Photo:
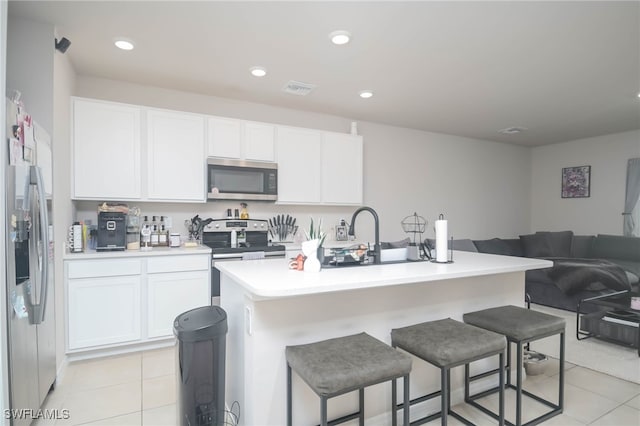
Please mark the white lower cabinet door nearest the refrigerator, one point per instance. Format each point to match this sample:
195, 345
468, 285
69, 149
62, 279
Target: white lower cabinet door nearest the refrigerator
103, 311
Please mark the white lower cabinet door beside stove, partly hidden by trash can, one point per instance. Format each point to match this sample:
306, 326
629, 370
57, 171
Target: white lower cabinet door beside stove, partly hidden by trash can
171, 294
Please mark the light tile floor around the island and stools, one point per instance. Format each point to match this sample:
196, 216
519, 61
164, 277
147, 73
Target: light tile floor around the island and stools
140, 390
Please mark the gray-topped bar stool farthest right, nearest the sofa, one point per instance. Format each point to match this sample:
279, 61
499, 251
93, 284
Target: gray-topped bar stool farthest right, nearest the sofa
519, 326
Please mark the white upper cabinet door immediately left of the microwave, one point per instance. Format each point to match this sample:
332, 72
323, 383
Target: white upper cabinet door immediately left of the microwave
176, 156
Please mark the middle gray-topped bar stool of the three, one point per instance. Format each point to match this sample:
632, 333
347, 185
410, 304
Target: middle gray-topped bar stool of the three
446, 344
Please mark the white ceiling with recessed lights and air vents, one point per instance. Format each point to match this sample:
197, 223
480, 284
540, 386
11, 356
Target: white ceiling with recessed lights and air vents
562, 70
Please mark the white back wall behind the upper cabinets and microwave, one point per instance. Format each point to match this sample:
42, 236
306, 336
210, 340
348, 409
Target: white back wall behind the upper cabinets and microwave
482, 187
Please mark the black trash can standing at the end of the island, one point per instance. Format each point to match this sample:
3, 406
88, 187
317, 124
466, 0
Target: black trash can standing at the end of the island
200, 358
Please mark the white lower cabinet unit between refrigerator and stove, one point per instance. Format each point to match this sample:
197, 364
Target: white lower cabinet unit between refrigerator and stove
123, 301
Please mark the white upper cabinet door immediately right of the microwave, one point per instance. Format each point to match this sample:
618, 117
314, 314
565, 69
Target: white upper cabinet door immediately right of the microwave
298, 153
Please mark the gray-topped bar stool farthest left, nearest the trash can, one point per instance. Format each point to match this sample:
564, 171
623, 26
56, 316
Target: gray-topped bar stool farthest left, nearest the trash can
337, 366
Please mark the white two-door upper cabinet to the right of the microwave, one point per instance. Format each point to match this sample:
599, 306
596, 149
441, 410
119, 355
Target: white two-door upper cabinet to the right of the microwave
317, 167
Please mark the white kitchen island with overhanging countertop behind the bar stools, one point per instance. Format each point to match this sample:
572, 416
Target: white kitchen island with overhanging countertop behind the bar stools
270, 307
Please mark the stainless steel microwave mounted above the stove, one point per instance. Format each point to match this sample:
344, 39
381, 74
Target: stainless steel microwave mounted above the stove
241, 180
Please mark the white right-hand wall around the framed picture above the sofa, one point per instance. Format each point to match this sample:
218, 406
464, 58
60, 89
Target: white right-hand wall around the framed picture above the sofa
601, 212
